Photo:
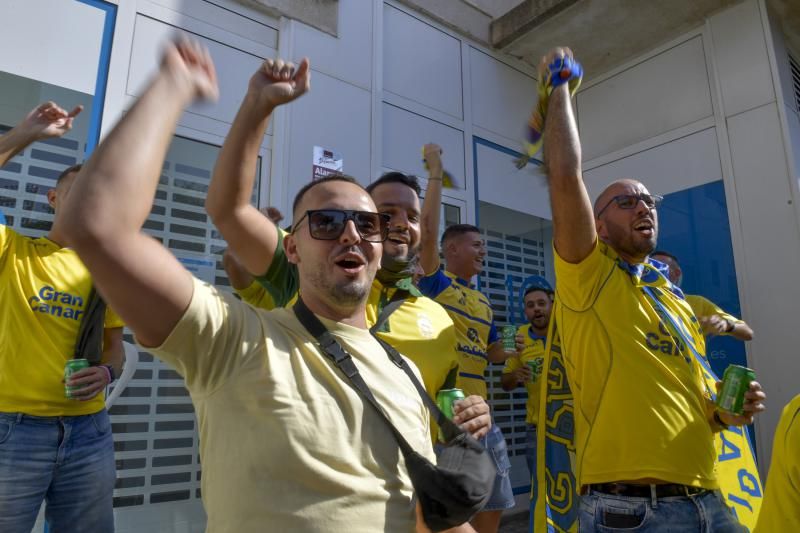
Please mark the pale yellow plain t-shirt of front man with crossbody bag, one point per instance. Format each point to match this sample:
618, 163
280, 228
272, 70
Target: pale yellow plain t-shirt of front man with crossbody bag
287, 444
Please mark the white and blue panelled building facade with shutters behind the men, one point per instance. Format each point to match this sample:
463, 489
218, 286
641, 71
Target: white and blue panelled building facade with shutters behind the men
710, 120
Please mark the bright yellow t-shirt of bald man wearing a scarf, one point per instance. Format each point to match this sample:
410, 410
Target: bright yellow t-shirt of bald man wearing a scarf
640, 400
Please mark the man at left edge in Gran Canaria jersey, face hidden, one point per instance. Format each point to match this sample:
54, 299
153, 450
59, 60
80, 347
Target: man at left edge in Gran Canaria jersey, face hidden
53, 449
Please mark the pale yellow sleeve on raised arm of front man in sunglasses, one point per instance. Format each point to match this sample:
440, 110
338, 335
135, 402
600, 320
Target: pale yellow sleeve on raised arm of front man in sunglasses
216, 336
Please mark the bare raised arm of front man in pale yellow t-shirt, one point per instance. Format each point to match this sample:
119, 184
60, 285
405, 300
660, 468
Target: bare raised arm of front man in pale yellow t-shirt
113, 194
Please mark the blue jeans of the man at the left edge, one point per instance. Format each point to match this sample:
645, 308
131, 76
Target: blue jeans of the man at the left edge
67, 462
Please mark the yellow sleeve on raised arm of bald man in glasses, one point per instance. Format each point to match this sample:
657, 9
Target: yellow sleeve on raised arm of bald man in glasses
578, 284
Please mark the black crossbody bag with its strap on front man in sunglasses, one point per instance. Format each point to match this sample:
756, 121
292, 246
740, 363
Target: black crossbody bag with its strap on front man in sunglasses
450, 492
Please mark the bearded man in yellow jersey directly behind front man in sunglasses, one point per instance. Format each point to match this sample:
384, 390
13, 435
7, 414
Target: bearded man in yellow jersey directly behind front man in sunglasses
419, 328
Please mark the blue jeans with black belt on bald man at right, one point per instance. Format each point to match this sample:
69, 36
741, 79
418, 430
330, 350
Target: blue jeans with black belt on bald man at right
704, 512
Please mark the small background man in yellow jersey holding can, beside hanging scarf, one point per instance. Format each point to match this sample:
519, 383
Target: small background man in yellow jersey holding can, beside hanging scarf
526, 367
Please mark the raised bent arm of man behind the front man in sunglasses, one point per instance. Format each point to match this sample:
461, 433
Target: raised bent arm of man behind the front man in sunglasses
250, 236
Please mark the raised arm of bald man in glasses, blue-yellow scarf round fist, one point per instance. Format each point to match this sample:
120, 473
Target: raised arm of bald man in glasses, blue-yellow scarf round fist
574, 232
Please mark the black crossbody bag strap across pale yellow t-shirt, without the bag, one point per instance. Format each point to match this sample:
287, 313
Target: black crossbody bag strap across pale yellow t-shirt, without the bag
344, 362
